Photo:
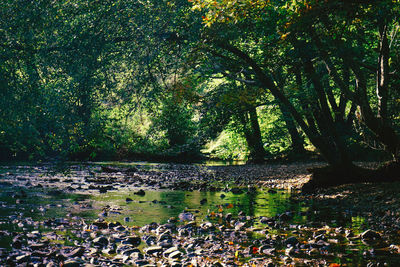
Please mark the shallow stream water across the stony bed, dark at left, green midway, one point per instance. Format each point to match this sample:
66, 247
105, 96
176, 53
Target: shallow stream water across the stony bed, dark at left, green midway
32, 195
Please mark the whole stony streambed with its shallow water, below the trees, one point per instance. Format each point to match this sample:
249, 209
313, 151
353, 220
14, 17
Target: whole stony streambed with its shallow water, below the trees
87, 215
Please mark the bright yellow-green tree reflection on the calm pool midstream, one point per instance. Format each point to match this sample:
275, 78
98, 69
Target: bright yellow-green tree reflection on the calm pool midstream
159, 206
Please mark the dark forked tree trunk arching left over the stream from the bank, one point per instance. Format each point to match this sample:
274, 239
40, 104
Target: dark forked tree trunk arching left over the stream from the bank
321, 132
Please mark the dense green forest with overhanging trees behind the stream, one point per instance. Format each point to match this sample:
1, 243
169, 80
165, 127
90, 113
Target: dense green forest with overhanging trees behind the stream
244, 79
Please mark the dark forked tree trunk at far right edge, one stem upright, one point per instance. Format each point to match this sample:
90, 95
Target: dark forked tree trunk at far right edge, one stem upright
377, 123
